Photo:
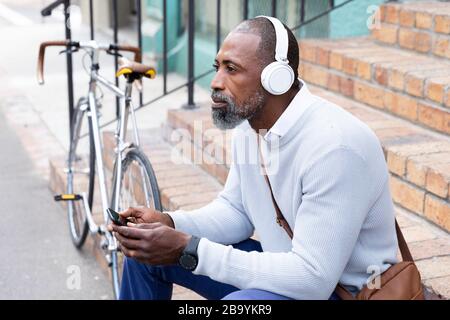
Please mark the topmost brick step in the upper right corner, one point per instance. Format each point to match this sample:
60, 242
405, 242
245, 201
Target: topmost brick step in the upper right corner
422, 26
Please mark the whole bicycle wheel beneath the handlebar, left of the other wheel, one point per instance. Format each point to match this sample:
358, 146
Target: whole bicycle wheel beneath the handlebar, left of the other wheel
80, 175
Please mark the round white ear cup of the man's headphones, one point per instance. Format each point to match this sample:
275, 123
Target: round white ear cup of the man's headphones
277, 78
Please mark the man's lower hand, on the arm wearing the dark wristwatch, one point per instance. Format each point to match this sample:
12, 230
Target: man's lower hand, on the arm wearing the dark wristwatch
151, 243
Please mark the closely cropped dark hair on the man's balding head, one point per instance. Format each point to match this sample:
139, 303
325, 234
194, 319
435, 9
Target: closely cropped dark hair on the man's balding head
266, 49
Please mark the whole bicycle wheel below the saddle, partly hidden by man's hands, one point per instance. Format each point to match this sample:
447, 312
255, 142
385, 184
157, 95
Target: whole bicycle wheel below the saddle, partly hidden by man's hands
138, 187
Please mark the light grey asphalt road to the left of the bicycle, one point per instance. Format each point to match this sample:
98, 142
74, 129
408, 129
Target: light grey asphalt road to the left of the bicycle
38, 260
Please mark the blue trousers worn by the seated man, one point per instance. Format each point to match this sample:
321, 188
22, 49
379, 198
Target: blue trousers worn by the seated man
145, 282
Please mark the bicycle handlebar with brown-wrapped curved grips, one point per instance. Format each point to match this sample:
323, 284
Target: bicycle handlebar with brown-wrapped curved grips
88, 45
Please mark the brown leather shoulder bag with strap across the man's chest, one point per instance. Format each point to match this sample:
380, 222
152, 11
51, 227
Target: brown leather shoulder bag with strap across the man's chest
400, 282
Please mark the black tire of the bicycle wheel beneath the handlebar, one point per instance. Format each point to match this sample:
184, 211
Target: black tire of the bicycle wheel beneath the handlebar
75, 210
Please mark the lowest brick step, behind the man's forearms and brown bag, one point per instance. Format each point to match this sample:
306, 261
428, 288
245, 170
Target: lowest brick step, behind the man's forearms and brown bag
181, 182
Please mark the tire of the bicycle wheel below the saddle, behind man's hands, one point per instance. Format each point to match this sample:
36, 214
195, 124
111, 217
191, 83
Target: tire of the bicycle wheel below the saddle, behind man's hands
133, 154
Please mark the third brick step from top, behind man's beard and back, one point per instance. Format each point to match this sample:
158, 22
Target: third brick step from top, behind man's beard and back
418, 160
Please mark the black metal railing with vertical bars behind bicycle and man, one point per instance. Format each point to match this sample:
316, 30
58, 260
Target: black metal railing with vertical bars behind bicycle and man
191, 78
